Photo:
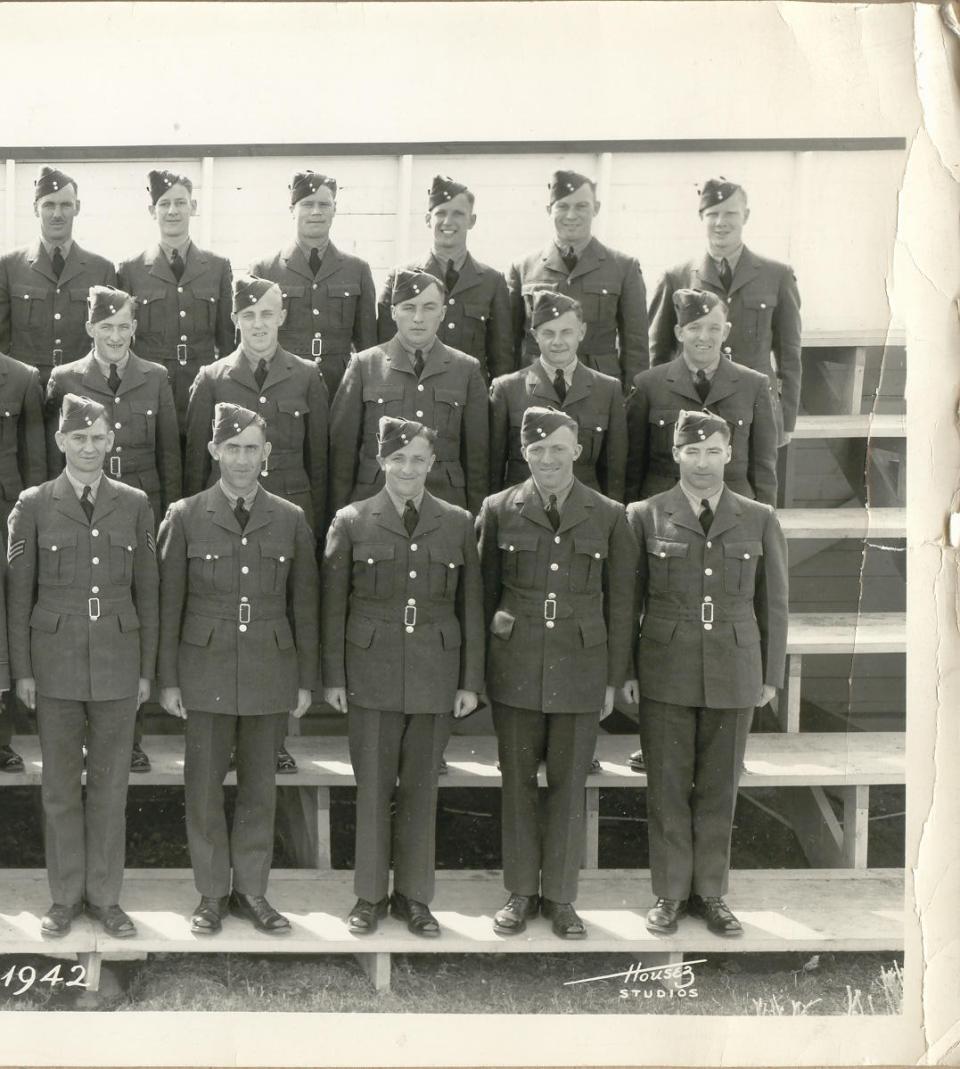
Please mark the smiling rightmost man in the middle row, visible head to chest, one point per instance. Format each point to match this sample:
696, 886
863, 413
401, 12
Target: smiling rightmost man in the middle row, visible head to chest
702, 377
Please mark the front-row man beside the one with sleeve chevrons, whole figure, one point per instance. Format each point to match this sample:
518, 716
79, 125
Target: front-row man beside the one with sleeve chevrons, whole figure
239, 646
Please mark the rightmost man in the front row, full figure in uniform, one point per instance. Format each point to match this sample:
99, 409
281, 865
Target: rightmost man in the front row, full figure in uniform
713, 590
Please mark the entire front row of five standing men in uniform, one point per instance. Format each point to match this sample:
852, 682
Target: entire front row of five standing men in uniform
229, 626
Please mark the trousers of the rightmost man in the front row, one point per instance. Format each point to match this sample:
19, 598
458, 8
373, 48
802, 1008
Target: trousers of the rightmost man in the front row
693, 758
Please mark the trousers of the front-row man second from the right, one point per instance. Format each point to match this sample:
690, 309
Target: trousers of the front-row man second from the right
544, 842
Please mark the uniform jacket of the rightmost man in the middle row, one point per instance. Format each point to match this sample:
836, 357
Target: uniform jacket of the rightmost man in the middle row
737, 395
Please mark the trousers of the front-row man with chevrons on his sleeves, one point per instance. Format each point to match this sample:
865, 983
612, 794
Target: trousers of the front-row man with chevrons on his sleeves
85, 846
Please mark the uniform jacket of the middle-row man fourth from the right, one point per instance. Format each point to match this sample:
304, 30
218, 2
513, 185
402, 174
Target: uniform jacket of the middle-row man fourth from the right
293, 401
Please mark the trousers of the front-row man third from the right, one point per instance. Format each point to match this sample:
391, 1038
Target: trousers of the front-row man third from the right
399, 753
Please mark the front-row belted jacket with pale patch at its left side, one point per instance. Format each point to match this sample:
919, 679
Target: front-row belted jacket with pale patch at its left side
559, 606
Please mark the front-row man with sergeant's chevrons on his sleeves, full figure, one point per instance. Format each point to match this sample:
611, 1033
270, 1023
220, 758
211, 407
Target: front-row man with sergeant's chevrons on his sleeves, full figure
84, 626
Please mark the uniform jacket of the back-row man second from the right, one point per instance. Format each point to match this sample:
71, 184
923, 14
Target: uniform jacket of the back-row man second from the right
610, 287
